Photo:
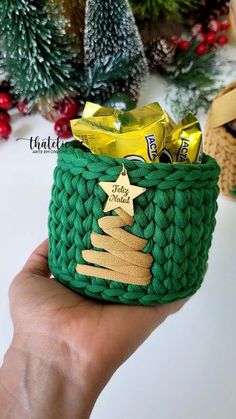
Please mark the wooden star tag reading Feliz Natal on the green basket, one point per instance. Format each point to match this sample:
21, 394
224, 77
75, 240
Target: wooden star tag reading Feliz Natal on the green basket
121, 193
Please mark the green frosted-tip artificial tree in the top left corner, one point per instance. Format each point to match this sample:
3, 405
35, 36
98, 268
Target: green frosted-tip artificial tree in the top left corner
37, 53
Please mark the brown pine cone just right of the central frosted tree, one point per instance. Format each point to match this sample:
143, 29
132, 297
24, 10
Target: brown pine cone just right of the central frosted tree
160, 52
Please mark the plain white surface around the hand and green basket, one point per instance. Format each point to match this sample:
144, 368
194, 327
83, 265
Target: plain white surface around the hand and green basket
187, 368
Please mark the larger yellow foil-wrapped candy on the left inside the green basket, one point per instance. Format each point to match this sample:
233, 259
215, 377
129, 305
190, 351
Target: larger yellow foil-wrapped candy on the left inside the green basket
138, 134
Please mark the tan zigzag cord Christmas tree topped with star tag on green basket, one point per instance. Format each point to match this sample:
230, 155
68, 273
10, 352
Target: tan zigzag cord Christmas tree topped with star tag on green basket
122, 260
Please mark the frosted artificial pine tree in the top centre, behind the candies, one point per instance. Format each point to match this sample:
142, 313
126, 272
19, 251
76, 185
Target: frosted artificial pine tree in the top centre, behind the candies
112, 44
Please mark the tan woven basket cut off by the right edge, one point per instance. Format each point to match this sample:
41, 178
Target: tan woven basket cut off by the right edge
221, 145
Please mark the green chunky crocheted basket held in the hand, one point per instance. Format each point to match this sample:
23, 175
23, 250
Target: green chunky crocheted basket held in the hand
176, 215
